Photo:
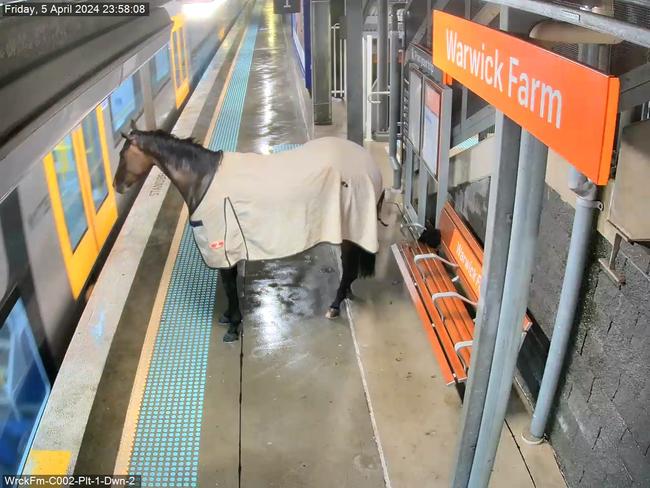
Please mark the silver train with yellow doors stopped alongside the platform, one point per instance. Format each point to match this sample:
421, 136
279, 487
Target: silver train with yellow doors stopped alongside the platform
68, 88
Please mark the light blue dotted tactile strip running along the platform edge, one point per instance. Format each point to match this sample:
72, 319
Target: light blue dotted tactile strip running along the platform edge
167, 438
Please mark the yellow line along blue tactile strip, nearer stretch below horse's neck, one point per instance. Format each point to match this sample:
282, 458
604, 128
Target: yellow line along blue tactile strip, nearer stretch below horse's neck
137, 393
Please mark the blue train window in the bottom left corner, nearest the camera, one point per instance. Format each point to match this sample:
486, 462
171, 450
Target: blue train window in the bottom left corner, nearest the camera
24, 387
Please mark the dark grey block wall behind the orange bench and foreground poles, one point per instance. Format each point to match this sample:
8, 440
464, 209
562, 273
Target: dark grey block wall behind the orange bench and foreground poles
600, 428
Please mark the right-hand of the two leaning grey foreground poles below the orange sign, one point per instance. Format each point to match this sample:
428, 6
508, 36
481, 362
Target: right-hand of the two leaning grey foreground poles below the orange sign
521, 253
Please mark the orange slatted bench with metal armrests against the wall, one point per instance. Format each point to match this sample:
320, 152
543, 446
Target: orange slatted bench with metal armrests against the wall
444, 285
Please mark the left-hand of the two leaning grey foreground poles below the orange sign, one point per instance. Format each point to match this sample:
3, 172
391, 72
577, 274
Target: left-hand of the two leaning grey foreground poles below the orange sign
497, 241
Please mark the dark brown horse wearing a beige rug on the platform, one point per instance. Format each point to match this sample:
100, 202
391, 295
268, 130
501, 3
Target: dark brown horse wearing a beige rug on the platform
251, 207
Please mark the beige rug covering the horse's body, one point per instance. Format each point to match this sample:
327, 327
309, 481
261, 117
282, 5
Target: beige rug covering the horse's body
272, 206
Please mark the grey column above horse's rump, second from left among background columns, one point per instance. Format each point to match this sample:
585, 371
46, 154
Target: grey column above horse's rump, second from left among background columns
353, 75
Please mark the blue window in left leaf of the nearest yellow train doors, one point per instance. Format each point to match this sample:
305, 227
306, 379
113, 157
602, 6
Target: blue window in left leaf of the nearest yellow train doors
67, 176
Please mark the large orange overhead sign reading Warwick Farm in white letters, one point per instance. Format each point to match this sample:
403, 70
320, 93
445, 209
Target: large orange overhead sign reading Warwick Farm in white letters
569, 107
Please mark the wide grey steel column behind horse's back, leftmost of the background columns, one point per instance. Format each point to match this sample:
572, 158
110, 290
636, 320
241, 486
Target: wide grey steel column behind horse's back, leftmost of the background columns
321, 61
